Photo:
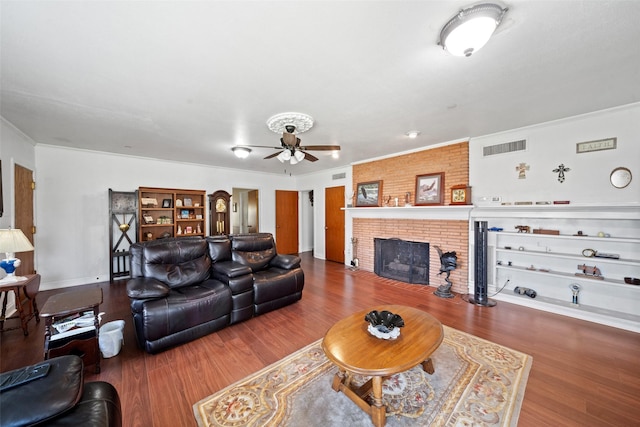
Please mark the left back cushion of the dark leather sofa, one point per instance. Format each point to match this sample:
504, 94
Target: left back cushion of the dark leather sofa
177, 263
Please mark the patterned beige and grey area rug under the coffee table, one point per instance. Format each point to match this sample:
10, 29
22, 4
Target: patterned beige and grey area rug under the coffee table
476, 382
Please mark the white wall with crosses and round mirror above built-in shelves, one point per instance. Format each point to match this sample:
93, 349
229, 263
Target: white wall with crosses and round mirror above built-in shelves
553, 143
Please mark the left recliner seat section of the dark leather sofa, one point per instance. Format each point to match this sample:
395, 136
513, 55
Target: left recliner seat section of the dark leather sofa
173, 298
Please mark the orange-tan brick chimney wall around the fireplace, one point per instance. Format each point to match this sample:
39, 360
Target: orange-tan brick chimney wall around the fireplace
398, 176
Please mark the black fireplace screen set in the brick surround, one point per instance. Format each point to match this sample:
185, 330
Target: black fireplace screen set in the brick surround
402, 260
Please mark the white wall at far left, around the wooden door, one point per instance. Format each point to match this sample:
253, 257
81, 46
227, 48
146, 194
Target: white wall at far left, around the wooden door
15, 148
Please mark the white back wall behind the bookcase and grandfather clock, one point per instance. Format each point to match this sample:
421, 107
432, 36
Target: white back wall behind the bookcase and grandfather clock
73, 210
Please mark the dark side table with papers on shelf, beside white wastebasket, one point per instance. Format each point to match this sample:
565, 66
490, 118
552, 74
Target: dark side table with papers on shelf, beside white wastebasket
85, 343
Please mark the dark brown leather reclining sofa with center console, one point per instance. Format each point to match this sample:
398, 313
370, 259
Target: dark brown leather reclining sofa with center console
185, 288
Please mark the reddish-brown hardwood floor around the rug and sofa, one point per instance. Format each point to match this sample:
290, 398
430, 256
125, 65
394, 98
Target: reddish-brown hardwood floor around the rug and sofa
583, 374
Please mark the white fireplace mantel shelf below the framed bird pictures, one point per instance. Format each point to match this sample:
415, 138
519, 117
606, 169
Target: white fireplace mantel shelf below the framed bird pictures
413, 212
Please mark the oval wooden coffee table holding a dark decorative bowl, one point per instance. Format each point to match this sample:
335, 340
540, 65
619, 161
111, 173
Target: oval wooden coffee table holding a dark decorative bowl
354, 350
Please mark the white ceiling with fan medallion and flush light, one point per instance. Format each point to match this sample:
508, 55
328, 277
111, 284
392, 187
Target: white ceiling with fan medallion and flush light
188, 80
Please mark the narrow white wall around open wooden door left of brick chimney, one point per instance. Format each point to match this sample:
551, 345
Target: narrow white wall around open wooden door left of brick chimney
318, 182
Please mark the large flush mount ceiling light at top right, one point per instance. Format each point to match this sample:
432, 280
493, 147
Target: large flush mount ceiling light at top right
471, 29
